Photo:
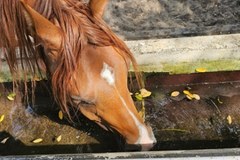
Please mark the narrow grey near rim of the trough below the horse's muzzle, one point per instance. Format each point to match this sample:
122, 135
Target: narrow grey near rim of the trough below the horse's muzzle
231, 153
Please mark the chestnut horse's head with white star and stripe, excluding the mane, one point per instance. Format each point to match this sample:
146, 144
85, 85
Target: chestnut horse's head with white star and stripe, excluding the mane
93, 79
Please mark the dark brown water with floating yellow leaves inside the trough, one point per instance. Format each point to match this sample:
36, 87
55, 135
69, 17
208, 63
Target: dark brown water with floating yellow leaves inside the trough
178, 123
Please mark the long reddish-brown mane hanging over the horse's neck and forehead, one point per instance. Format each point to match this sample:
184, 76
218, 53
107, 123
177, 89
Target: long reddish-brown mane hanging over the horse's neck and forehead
75, 19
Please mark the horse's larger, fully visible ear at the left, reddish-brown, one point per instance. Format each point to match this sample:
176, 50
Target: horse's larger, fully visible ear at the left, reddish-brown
48, 34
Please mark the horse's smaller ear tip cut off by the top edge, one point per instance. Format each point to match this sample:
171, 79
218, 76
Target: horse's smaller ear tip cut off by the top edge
97, 7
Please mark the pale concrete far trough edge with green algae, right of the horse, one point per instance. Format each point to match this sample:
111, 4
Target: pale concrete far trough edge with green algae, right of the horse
184, 55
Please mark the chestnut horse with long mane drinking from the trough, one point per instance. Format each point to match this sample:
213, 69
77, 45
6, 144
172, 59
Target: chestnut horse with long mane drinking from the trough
85, 61
